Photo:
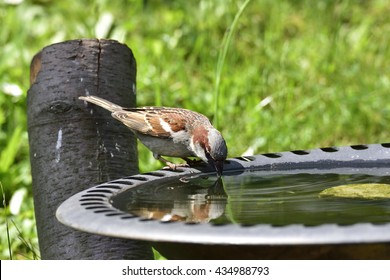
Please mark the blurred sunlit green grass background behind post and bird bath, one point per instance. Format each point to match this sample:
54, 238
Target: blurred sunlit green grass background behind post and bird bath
298, 75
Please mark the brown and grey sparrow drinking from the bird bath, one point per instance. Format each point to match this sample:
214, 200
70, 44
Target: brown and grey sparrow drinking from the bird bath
172, 132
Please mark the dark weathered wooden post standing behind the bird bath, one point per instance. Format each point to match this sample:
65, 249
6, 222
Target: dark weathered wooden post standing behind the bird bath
73, 147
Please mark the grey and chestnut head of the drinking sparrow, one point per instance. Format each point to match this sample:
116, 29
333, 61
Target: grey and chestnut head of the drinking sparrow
208, 144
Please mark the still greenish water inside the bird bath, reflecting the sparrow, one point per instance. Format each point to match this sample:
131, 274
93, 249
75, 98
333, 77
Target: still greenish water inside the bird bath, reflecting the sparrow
256, 198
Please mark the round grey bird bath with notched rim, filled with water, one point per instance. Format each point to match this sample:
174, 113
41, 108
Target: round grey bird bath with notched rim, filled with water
267, 206
